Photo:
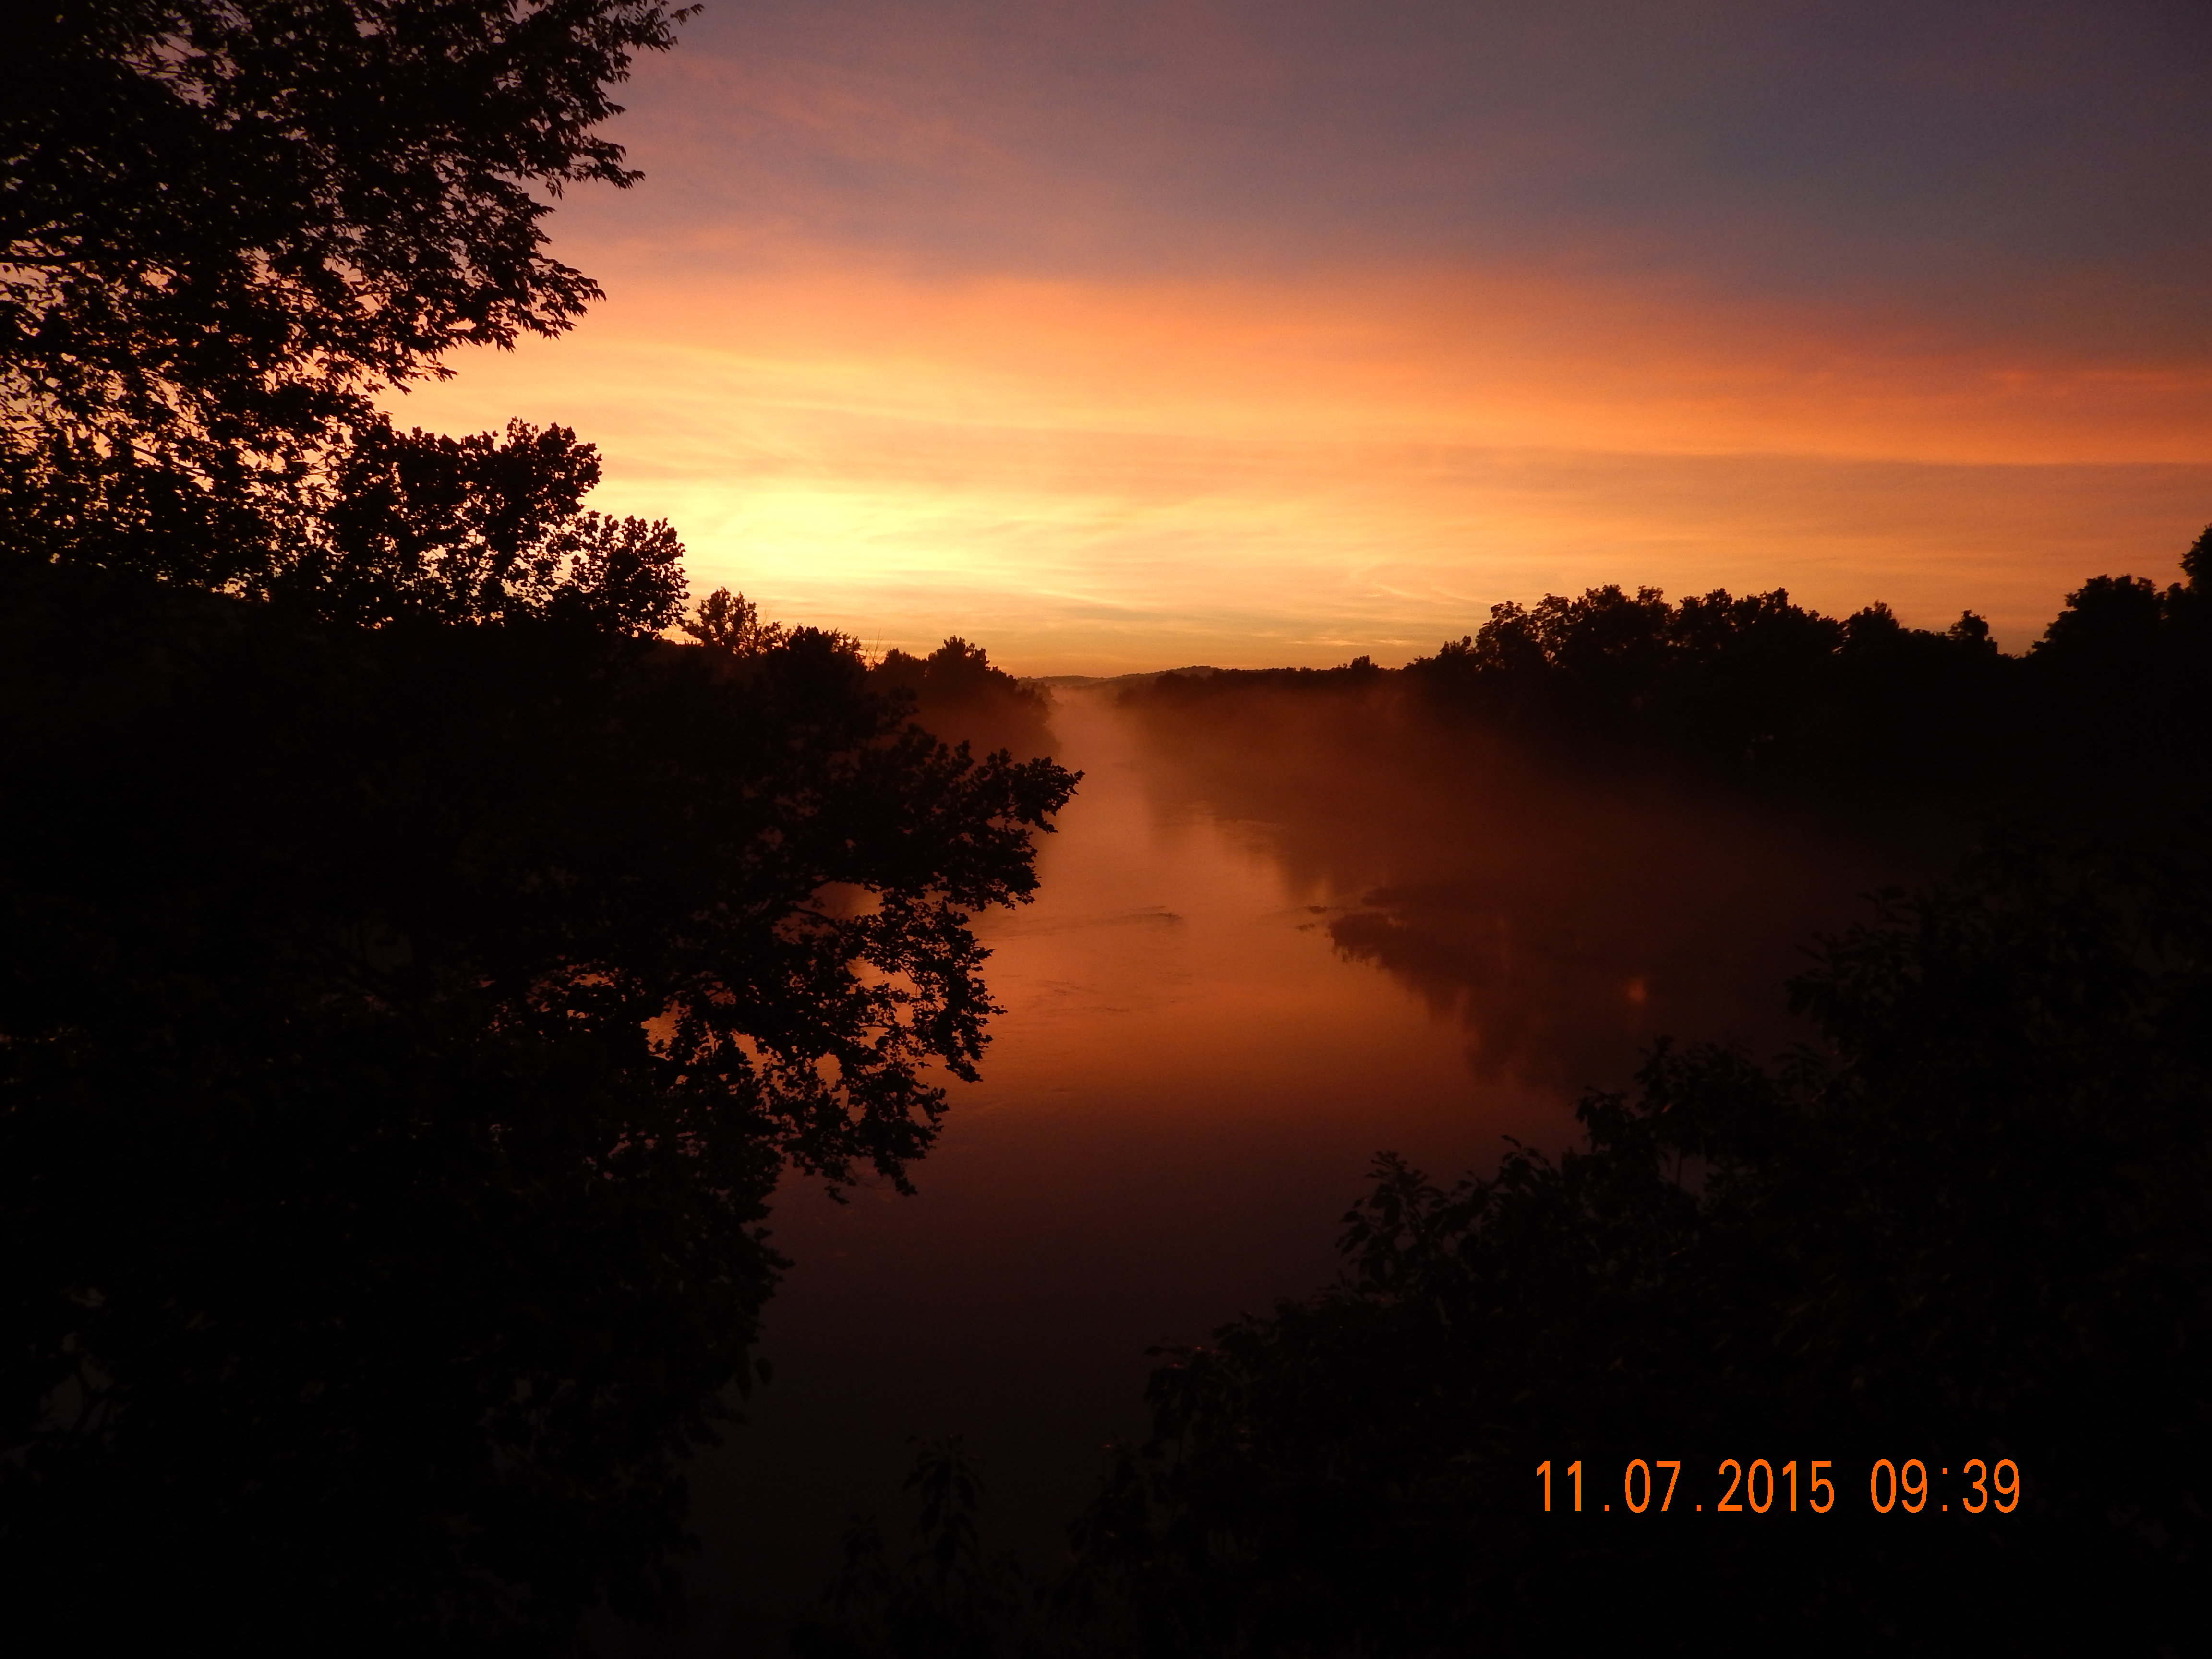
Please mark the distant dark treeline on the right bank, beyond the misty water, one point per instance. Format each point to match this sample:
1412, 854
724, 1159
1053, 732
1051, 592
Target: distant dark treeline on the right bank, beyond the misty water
1760, 691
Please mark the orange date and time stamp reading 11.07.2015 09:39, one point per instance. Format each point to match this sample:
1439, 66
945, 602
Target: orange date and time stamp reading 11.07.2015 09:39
1764, 1488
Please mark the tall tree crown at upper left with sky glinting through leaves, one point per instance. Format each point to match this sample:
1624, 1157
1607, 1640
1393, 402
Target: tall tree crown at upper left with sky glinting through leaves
225, 227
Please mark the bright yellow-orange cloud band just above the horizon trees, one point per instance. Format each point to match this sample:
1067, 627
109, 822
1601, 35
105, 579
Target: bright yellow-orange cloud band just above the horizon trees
1127, 474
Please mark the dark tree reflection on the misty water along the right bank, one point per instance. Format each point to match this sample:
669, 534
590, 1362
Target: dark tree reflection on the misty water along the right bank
1563, 921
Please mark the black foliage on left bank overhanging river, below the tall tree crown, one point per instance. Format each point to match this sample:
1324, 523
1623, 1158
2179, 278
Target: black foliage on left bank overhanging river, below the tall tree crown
404, 1030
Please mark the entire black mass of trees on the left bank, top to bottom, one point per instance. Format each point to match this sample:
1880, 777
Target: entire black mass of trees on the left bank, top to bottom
417, 966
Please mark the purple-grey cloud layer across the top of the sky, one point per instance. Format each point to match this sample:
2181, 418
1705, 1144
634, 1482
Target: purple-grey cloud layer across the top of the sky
1948, 156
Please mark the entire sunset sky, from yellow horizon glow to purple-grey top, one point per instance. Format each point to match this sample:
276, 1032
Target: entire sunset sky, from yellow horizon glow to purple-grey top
1123, 335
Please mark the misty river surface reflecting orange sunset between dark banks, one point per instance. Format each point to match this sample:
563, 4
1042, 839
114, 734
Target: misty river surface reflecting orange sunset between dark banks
1262, 952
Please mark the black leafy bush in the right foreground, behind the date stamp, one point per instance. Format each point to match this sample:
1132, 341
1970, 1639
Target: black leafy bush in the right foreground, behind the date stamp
1972, 1224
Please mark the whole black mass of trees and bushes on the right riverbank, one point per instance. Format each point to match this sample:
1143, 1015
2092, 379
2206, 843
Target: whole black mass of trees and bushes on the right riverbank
1970, 1222
